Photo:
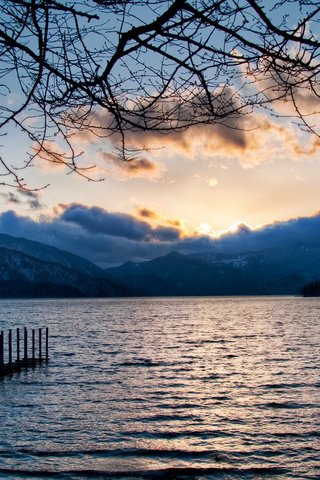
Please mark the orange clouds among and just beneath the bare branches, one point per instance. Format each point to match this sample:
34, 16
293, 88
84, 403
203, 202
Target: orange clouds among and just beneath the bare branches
250, 139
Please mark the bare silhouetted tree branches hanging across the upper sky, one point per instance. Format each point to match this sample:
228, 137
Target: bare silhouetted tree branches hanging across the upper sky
124, 66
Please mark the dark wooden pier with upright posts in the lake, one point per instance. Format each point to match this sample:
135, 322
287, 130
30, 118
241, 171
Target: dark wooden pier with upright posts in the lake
20, 352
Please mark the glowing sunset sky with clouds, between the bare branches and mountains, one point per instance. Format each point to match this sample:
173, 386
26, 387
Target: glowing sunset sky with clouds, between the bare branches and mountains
210, 187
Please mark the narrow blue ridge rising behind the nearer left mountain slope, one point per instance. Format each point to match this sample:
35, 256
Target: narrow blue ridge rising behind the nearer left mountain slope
50, 254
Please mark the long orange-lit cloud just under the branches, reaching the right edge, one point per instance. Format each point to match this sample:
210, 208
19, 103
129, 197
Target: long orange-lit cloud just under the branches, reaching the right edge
250, 141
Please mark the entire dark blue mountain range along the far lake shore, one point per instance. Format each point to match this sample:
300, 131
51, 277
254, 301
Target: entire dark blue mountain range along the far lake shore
32, 269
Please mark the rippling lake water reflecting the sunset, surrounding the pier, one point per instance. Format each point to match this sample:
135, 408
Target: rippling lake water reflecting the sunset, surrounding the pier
168, 388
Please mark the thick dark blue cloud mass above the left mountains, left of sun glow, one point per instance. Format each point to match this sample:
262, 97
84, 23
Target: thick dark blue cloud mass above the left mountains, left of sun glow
104, 238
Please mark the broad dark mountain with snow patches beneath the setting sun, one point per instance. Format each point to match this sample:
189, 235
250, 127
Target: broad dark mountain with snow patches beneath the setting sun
278, 271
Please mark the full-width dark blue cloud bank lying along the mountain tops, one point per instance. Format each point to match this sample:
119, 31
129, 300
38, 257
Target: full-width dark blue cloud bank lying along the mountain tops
112, 238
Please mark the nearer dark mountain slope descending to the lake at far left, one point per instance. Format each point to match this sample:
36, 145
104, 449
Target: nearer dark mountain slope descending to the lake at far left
23, 275
